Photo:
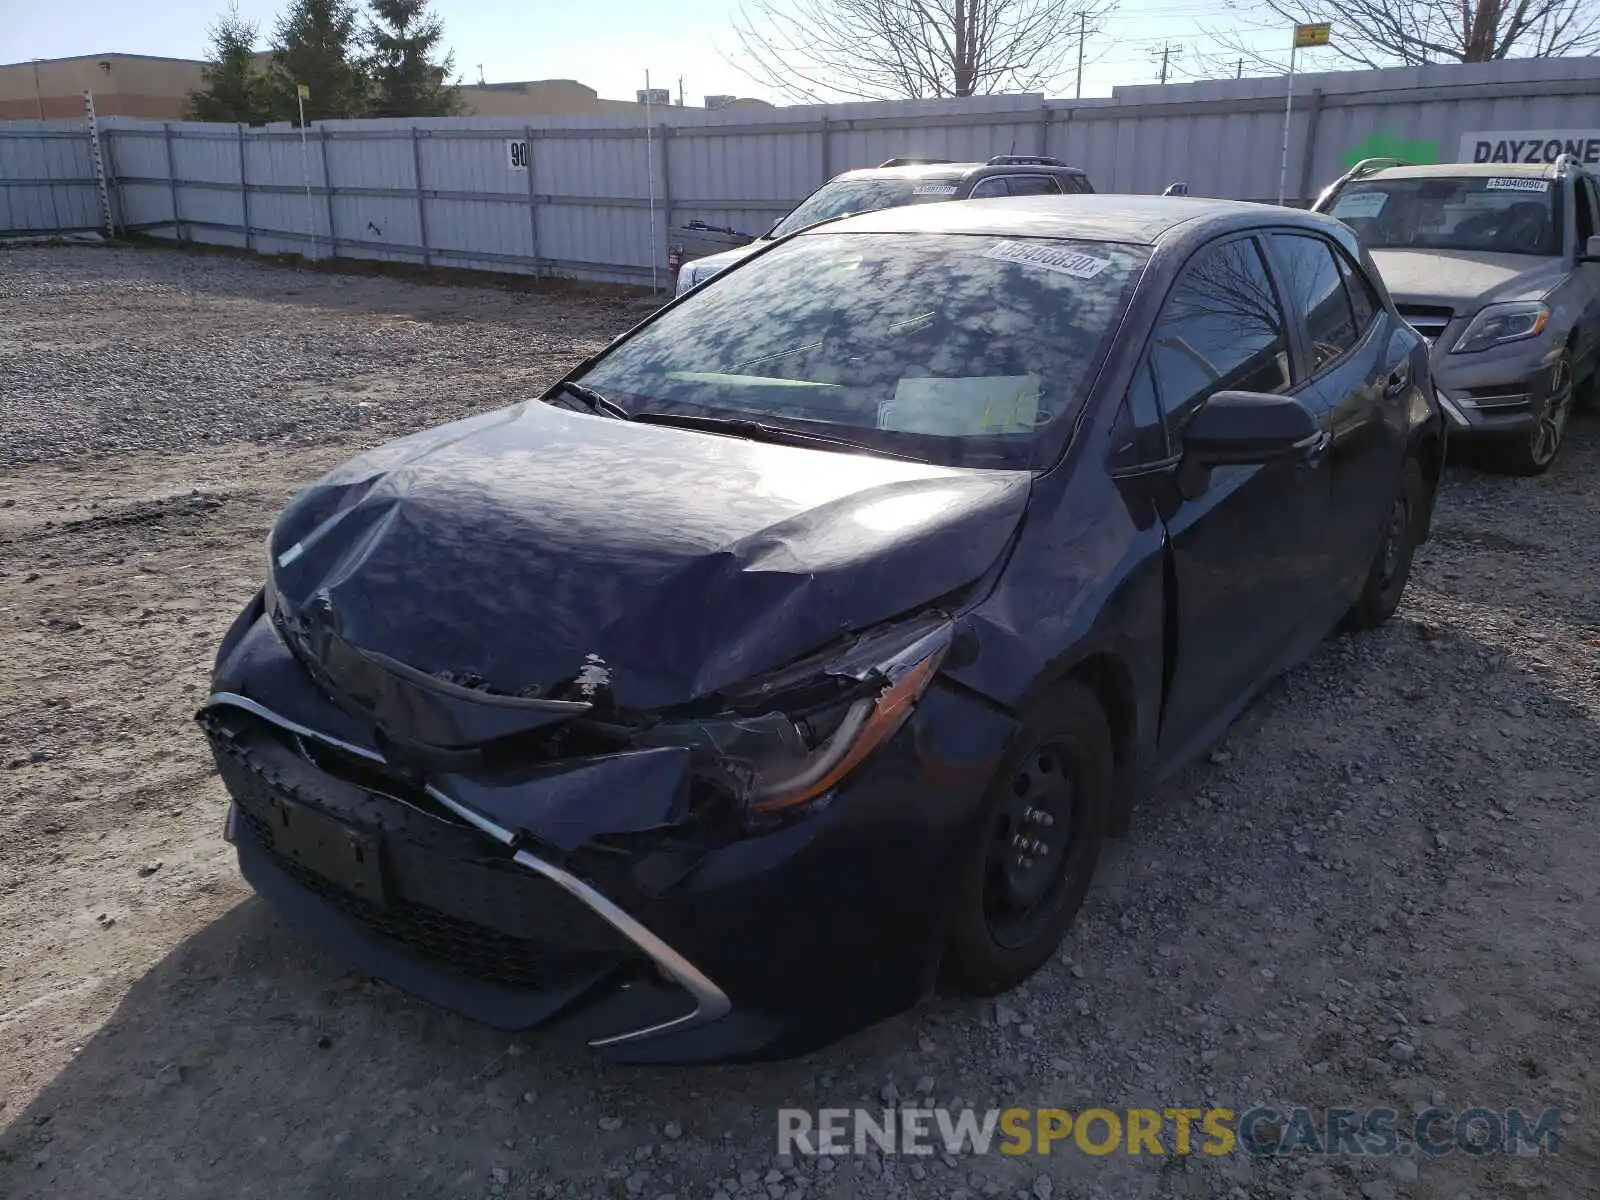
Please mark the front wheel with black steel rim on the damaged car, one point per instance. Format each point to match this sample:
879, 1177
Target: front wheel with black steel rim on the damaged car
1026, 876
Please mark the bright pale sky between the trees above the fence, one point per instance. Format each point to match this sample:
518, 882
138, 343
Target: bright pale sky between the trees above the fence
612, 44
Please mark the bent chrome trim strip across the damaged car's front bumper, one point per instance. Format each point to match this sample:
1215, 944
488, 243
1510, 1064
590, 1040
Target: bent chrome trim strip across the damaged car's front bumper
710, 1001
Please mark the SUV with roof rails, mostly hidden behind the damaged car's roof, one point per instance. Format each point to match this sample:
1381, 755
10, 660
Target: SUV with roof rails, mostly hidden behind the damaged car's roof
905, 182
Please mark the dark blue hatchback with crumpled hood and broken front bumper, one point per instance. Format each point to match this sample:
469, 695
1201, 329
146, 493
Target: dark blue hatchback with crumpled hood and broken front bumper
798, 654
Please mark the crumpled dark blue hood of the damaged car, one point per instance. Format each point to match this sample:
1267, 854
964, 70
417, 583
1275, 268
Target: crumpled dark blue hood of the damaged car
518, 550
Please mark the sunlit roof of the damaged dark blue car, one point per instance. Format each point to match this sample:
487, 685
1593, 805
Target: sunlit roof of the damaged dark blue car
1086, 218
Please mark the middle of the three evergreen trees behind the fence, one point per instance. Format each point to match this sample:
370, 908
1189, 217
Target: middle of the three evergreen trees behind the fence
314, 47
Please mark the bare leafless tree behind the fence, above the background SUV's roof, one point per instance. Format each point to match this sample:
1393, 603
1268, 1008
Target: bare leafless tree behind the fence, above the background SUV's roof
809, 50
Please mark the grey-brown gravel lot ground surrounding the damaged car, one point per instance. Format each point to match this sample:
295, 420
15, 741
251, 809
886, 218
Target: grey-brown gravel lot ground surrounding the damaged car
1380, 892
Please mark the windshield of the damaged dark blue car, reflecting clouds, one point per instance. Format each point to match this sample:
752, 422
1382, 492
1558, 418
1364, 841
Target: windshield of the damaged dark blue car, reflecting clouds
959, 350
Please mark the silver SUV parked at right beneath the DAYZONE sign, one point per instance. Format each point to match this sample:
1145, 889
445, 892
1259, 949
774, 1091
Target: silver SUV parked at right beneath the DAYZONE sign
1498, 266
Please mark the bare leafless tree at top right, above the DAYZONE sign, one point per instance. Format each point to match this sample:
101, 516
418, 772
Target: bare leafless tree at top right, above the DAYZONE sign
1412, 33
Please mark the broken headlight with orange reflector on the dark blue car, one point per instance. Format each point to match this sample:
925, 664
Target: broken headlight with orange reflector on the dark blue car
791, 737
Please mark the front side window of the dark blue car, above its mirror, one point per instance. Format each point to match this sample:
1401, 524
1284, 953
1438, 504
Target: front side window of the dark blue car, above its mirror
1222, 330
